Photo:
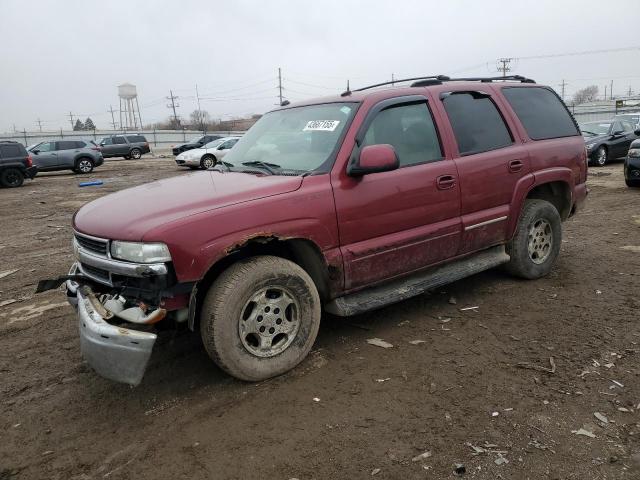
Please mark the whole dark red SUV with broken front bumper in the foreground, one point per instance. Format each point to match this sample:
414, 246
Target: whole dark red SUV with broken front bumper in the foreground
346, 204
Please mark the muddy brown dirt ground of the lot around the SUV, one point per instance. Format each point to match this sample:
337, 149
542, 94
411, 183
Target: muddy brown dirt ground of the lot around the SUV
351, 410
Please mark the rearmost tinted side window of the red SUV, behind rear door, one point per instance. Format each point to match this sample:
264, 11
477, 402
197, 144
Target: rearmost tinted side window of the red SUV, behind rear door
541, 112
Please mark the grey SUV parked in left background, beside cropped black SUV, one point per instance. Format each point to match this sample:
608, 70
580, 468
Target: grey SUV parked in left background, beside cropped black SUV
77, 155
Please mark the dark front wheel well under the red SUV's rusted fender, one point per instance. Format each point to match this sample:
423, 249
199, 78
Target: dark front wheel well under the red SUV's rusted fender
300, 251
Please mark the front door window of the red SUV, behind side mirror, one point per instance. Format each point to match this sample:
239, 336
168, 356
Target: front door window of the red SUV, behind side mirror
410, 130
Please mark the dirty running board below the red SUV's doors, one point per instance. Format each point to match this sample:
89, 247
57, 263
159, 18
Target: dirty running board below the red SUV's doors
416, 283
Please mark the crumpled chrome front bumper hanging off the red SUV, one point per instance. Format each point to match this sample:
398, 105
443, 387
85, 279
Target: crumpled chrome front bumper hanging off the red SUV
114, 352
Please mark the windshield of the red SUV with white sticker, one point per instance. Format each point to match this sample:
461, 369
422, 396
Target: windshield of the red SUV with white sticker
300, 139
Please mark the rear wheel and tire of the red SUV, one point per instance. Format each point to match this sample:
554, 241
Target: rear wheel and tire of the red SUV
536, 243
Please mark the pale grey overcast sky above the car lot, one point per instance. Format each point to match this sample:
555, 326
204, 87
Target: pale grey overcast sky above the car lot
69, 55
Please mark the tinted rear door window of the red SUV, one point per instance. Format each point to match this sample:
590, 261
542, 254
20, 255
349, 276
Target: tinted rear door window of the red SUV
476, 122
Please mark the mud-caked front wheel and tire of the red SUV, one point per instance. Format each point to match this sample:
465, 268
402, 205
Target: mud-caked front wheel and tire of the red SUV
224, 317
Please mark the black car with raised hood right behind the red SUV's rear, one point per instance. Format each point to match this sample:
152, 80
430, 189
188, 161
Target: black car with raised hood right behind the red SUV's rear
608, 140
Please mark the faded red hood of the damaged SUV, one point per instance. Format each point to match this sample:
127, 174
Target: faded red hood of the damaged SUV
129, 214
